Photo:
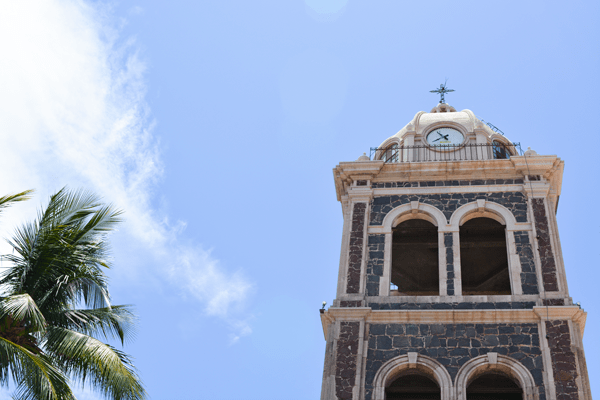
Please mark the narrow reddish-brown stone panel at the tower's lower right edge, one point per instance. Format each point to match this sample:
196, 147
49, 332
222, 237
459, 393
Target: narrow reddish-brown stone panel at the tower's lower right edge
564, 367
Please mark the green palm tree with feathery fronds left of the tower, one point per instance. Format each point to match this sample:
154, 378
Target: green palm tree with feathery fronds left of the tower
56, 303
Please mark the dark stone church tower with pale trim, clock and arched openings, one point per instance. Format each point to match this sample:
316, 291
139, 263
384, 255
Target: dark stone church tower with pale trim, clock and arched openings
451, 283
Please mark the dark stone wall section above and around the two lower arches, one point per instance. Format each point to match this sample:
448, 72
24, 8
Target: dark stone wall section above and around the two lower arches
452, 345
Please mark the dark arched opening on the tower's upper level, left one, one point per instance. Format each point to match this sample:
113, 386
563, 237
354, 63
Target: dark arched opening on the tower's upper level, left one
415, 265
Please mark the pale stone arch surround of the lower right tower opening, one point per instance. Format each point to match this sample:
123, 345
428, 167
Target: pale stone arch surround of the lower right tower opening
492, 362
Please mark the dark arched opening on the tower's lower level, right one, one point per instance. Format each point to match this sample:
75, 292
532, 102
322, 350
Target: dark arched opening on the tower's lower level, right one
494, 386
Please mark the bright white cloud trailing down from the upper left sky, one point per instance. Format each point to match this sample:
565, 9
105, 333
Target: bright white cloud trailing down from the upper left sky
72, 112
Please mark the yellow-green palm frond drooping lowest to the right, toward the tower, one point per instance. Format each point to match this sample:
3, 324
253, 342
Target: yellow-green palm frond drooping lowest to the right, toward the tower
109, 371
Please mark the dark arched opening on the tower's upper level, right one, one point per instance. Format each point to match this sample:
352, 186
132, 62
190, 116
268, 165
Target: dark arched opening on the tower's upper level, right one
484, 258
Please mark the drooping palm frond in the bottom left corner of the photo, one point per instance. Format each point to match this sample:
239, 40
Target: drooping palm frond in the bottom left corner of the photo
36, 376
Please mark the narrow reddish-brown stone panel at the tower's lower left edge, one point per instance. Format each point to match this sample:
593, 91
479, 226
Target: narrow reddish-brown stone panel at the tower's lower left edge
346, 357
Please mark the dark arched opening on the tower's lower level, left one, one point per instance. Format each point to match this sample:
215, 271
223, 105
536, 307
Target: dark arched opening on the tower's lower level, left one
413, 385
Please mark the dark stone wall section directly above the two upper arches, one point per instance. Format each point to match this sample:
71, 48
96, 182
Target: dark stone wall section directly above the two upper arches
448, 203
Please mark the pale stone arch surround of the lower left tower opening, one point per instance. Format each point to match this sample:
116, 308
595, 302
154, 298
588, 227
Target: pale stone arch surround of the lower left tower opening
391, 369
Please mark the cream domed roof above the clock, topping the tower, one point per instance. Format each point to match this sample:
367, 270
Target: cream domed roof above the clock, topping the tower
443, 115
